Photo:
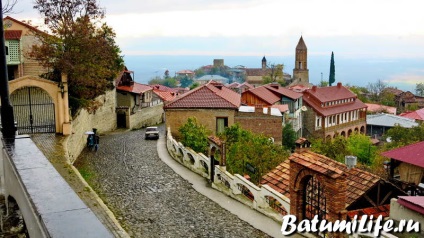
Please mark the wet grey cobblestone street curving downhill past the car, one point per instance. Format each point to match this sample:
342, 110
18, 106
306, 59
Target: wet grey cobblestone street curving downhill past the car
148, 197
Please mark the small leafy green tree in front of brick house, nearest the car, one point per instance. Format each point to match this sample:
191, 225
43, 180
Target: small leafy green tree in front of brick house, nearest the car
194, 135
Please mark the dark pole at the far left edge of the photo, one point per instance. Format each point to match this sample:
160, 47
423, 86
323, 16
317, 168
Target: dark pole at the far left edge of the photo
7, 118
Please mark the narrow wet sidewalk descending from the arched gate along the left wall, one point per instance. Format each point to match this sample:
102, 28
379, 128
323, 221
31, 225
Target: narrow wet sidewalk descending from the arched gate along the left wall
53, 147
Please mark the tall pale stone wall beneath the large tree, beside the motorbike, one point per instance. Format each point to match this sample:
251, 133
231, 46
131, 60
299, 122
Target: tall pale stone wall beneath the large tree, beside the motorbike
103, 118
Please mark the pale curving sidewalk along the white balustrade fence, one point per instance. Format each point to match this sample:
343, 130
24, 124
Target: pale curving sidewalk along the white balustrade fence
253, 217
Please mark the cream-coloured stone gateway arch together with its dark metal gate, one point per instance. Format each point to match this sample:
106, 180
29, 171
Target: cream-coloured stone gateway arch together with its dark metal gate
40, 105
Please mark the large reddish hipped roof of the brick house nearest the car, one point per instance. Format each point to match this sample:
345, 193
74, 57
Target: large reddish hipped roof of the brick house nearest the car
209, 95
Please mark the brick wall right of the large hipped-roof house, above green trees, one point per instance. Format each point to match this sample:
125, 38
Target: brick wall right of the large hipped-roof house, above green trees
260, 123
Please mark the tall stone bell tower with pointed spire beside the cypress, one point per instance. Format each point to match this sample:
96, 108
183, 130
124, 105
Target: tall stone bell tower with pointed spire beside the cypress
301, 71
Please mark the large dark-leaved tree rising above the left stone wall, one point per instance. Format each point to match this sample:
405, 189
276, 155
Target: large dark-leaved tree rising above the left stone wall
79, 46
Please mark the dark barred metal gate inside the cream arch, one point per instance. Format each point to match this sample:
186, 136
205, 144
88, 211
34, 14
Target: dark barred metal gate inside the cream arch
34, 110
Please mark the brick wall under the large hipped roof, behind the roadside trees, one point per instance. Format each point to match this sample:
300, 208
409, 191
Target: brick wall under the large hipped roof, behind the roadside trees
175, 118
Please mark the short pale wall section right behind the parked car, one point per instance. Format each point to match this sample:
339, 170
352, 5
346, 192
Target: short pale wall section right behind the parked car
147, 116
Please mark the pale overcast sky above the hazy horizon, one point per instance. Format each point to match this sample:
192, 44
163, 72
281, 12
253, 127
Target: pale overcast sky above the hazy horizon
375, 28
